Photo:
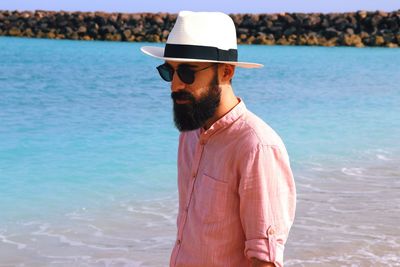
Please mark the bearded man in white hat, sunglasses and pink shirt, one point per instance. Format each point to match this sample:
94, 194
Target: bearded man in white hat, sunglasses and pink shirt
237, 195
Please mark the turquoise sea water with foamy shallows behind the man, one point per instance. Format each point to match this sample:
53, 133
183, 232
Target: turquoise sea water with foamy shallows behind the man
88, 150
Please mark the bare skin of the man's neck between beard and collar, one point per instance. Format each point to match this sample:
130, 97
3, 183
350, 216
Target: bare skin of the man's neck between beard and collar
227, 103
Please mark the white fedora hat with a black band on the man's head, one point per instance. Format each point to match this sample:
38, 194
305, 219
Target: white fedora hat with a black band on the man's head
201, 37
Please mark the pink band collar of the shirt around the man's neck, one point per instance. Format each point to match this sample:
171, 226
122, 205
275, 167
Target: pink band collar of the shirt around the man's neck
235, 113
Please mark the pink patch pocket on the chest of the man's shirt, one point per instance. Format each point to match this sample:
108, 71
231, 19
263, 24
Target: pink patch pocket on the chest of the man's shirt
211, 199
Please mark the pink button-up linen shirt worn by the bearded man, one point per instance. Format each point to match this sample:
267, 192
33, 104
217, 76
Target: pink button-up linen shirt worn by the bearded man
237, 196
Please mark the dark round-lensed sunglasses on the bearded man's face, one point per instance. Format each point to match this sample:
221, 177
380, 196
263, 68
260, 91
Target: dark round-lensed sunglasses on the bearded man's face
185, 72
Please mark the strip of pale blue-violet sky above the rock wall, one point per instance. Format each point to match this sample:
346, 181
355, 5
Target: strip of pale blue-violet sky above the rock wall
227, 6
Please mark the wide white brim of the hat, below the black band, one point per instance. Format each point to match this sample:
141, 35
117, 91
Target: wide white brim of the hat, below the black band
158, 52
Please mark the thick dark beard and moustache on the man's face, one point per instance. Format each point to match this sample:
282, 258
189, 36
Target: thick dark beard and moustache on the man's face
194, 114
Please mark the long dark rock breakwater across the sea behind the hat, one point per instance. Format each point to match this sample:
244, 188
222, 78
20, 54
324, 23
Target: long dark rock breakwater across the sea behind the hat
358, 29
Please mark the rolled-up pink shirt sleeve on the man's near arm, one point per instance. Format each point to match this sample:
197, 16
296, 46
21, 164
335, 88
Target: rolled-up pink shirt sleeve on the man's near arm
267, 202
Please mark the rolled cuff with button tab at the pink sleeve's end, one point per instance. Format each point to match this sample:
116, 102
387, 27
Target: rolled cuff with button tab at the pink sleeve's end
266, 250
